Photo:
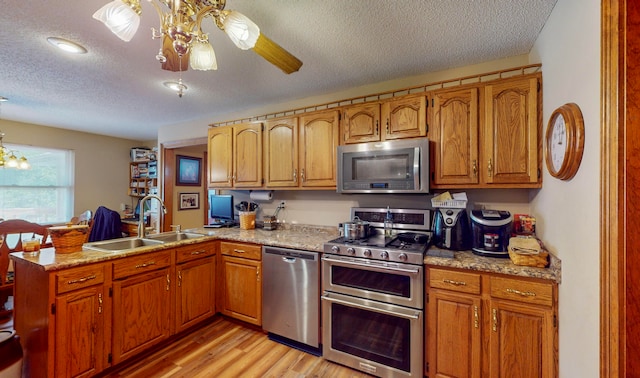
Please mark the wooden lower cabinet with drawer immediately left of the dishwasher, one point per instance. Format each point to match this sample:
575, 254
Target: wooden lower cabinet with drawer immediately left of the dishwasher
241, 281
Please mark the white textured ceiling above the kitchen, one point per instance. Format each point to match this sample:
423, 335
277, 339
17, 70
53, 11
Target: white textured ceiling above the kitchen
116, 88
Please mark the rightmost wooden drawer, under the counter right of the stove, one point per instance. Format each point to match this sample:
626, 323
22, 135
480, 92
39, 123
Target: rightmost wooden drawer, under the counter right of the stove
522, 291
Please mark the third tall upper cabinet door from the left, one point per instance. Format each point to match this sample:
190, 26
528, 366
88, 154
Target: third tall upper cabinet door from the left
281, 153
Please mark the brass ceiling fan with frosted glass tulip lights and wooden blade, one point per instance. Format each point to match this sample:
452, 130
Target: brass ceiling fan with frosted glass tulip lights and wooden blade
182, 35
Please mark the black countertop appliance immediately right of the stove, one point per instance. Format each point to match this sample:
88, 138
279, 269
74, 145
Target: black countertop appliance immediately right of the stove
451, 229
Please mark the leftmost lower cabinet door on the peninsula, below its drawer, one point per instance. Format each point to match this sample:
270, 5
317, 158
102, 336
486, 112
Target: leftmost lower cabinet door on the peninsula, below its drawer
79, 338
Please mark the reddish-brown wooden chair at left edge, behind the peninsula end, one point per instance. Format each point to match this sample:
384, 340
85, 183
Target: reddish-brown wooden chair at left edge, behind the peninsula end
12, 232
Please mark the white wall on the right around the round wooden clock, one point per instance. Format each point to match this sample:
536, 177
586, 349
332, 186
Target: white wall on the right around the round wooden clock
568, 211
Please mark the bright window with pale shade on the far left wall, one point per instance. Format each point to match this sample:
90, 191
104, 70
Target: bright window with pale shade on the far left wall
42, 194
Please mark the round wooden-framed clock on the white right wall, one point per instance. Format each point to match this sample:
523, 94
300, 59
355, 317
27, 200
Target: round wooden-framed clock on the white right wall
565, 141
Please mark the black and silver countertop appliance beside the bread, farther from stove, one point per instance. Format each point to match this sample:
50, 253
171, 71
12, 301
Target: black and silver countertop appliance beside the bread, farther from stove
491, 232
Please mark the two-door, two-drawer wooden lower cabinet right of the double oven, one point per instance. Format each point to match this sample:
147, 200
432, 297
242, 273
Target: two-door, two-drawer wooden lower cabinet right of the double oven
489, 325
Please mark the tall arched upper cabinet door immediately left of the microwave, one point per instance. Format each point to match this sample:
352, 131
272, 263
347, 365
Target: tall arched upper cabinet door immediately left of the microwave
318, 149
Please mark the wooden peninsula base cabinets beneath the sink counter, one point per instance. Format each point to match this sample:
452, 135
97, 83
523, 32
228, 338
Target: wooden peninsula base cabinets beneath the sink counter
79, 321
